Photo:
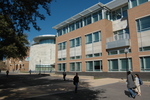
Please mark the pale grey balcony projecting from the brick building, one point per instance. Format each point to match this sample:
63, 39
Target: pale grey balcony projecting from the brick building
119, 40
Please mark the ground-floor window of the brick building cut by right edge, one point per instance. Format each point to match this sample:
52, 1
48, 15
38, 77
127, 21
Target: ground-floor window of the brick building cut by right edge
144, 63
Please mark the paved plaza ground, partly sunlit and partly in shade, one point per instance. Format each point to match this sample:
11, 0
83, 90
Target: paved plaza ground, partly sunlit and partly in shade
19, 86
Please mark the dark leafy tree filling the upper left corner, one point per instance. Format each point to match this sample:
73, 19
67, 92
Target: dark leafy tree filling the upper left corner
16, 16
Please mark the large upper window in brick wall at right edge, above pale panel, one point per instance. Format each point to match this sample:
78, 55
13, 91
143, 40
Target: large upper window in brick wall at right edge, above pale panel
143, 24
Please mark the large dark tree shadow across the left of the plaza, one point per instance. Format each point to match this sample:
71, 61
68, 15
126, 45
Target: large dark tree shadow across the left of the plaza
37, 87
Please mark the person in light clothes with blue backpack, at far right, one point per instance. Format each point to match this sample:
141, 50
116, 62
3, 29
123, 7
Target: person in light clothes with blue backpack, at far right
137, 83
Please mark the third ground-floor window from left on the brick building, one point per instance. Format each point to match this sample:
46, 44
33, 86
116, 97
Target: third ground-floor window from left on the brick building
94, 65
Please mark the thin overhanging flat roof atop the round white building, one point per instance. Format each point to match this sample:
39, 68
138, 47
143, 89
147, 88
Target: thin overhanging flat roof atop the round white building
42, 37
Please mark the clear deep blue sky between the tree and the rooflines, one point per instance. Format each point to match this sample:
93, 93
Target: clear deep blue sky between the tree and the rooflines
60, 10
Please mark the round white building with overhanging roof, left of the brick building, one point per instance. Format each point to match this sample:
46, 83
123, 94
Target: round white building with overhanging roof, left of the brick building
42, 54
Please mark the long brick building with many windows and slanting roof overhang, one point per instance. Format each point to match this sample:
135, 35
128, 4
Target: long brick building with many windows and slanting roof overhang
107, 38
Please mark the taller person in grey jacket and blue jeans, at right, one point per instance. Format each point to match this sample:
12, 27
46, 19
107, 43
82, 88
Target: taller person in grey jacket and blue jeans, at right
131, 84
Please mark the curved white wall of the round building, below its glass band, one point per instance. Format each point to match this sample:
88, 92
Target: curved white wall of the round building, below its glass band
41, 54
